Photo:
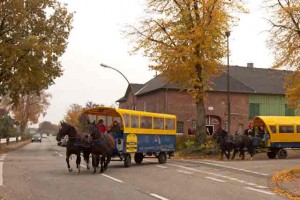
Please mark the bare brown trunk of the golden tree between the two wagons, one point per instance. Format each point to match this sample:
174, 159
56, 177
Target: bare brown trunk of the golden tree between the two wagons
201, 122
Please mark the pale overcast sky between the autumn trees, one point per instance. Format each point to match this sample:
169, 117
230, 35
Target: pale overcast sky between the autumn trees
96, 38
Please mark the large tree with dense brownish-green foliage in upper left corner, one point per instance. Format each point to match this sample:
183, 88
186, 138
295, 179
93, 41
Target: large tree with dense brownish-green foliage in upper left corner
33, 35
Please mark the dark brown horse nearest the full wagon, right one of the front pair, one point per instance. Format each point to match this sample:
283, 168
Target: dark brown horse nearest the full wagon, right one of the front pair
102, 149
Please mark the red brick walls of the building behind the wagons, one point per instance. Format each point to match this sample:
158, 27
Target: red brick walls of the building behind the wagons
181, 104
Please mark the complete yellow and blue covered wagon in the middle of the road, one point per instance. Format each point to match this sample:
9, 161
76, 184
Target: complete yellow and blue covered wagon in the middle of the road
143, 134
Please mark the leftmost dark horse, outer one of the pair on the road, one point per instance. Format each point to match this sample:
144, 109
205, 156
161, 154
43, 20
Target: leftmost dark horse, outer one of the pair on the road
77, 143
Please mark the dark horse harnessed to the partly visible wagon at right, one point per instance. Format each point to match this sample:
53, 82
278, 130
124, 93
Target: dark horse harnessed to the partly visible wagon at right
228, 142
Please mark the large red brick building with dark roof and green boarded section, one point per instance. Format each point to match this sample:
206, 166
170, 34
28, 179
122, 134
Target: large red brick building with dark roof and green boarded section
253, 91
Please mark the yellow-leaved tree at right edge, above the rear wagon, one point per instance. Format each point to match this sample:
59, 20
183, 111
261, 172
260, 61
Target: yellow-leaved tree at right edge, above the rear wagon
285, 42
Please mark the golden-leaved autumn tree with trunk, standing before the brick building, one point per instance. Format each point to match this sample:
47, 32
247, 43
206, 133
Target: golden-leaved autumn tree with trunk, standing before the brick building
185, 40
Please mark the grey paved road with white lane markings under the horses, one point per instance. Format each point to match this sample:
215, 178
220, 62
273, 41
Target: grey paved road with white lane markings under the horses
38, 171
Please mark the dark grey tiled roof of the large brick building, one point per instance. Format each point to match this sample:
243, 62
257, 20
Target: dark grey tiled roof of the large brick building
241, 79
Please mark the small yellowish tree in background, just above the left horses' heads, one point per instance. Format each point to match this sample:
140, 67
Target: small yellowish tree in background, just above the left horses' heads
73, 115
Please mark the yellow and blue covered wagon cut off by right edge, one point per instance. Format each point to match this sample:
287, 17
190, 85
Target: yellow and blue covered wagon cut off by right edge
281, 133
